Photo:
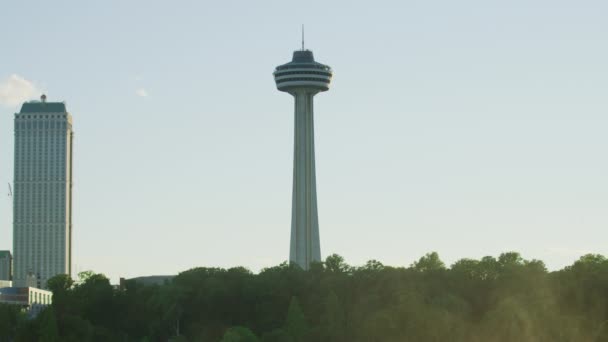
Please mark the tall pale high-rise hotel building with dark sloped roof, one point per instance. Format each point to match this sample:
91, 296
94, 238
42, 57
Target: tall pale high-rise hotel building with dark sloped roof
42, 195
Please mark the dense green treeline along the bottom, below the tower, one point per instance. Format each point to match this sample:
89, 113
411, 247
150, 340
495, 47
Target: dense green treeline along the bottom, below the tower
488, 300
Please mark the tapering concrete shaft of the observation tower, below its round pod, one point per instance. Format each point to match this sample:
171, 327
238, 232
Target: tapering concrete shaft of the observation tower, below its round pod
305, 246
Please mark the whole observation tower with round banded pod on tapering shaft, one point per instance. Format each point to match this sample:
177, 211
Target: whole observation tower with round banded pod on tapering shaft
303, 78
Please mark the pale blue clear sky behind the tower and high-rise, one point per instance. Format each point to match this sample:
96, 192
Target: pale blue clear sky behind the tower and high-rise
468, 128
